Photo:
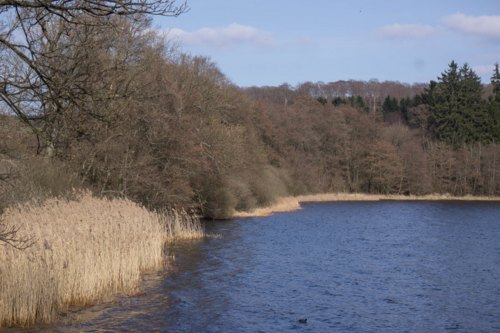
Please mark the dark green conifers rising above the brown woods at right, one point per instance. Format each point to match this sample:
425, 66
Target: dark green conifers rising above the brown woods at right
460, 110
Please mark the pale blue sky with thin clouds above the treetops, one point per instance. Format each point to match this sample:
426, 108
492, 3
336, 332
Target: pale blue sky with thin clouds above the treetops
271, 42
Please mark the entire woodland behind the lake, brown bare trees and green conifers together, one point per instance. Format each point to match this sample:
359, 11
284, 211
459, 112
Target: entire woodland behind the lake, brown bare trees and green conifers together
106, 103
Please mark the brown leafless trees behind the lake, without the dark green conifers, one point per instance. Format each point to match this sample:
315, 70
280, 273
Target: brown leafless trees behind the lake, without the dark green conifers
170, 130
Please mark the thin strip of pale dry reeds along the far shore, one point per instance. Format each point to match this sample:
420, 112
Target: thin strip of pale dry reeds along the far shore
292, 203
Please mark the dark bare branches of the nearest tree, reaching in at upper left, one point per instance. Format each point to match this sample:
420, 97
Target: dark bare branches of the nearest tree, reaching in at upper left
45, 56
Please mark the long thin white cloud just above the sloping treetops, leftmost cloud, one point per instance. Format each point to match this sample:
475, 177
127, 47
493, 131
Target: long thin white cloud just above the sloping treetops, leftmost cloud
224, 36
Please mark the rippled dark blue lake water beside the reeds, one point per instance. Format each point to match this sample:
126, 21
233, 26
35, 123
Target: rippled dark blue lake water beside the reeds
346, 266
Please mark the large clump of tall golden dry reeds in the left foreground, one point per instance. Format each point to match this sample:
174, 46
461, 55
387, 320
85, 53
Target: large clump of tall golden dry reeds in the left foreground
84, 251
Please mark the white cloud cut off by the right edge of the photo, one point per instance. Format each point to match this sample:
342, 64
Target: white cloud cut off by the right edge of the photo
484, 26
